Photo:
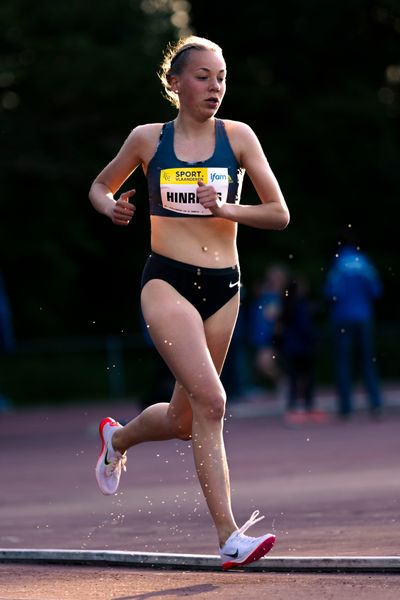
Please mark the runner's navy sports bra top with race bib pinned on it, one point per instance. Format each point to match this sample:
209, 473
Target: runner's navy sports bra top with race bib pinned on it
172, 183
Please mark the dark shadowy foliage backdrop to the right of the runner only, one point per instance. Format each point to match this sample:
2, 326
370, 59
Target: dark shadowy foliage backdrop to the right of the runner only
311, 78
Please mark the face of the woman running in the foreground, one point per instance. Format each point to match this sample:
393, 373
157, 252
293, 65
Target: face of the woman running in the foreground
202, 84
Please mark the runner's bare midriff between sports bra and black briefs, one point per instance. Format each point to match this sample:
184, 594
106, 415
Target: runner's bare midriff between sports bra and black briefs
202, 241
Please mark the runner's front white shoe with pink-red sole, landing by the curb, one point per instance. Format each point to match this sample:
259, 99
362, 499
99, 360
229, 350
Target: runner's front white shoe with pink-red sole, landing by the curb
240, 549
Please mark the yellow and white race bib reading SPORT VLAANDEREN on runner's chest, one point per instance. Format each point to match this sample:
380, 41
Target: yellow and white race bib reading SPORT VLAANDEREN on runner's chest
178, 188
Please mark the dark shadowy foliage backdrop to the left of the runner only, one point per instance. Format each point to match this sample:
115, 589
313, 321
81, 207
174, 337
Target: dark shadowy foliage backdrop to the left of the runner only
75, 77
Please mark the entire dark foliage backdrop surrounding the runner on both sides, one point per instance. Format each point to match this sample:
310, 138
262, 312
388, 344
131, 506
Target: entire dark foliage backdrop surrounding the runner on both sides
310, 77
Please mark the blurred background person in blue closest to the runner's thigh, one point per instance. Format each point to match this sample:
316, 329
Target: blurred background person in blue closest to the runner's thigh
264, 311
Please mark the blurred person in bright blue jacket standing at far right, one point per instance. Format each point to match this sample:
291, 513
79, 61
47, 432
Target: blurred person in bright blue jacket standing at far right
352, 286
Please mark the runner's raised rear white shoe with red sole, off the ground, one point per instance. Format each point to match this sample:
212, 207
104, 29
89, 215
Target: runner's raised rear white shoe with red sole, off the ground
110, 462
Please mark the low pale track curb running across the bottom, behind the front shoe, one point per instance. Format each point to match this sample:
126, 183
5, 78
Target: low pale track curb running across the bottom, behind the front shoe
310, 564
